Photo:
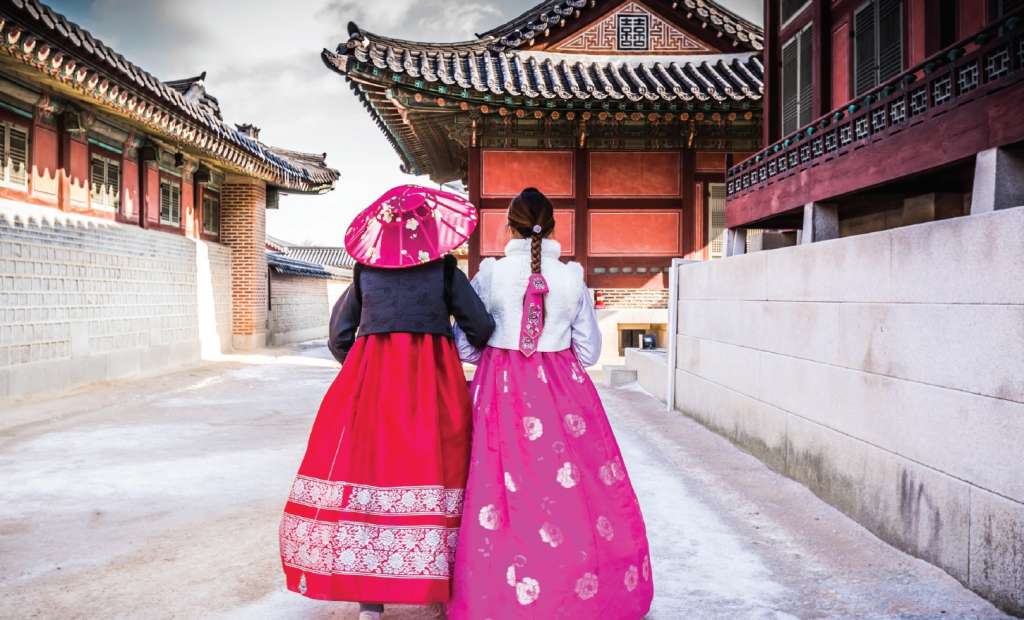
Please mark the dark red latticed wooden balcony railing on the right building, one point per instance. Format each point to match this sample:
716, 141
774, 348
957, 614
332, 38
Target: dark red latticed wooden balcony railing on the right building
972, 68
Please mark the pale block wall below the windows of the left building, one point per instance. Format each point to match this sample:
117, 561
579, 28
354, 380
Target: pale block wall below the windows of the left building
86, 300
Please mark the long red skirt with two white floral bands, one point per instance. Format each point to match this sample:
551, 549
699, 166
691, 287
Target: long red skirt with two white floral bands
374, 513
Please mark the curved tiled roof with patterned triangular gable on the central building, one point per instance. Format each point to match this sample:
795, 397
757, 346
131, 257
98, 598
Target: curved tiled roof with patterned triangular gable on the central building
413, 91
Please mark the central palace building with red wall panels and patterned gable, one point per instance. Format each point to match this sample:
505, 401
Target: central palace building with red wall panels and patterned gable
625, 113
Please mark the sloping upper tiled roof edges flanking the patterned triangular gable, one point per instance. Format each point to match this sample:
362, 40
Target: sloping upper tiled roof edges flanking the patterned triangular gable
554, 15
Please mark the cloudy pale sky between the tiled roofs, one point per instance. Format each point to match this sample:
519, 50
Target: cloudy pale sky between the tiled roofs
263, 63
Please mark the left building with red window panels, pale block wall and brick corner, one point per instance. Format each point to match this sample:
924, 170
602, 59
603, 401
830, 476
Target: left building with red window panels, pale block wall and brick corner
133, 216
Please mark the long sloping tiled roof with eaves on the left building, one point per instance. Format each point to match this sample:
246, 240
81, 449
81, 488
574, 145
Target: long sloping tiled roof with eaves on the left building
62, 52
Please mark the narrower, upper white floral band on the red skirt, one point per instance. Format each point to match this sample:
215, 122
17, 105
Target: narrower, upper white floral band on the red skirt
337, 495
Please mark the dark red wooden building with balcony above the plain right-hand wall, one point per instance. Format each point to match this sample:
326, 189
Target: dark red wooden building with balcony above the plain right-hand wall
884, 113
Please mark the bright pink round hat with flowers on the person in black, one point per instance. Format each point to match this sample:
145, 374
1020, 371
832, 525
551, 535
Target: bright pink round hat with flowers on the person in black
410, 226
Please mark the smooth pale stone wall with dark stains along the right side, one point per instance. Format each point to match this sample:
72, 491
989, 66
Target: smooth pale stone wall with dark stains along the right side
884, 371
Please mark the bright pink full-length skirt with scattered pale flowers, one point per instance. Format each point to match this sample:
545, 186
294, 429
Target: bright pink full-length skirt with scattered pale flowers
552, 527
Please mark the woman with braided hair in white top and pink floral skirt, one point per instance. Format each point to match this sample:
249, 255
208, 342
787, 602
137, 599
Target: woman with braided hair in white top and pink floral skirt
552, 527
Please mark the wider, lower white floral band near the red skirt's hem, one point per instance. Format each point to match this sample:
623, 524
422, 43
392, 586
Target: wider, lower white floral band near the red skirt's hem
359, 549
